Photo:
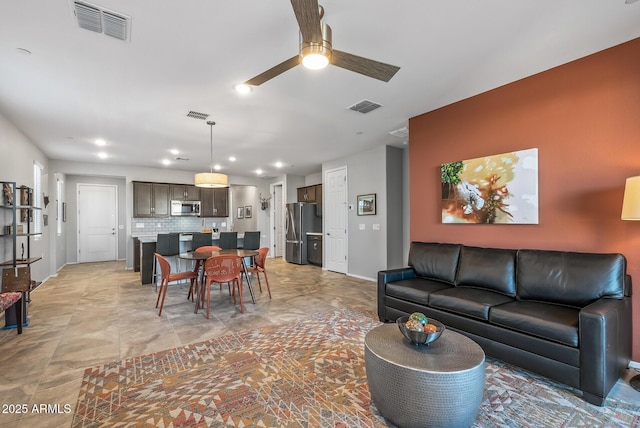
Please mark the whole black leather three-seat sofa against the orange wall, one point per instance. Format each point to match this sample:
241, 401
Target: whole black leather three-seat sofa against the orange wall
564, 315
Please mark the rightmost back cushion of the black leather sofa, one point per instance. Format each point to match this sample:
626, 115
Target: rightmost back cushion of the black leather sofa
568, 278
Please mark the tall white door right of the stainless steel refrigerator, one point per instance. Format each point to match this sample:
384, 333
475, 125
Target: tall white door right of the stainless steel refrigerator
335, 222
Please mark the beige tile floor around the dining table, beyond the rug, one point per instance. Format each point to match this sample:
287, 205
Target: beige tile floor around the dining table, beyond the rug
95, 313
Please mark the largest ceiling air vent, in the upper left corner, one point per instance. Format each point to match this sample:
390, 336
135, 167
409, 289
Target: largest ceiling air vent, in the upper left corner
94, 18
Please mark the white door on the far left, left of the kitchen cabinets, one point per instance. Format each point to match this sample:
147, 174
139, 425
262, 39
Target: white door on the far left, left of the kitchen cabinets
97, 219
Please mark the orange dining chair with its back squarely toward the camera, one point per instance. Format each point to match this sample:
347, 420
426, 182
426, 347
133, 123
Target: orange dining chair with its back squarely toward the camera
225, 268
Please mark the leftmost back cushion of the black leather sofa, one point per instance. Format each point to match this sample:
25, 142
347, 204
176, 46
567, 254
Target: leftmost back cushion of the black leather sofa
433, 260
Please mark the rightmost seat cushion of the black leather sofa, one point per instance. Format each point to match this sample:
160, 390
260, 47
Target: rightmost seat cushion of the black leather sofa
548, 321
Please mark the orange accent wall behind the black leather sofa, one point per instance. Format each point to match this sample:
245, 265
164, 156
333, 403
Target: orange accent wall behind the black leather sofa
584, 118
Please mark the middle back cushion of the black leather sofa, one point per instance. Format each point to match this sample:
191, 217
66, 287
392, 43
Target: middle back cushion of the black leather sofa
490, 268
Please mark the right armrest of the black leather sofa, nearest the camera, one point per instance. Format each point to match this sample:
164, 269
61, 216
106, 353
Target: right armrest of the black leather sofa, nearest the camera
605, 346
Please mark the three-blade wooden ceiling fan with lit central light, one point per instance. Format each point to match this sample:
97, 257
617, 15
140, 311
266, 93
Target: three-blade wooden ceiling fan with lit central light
316, 50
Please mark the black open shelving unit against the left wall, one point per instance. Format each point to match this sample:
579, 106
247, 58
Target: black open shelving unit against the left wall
18, 200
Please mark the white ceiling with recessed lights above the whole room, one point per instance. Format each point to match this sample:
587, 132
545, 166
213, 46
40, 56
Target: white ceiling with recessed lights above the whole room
64, 86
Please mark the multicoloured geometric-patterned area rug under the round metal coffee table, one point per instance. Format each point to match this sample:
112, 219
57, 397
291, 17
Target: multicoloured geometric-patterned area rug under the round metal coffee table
306, 373
